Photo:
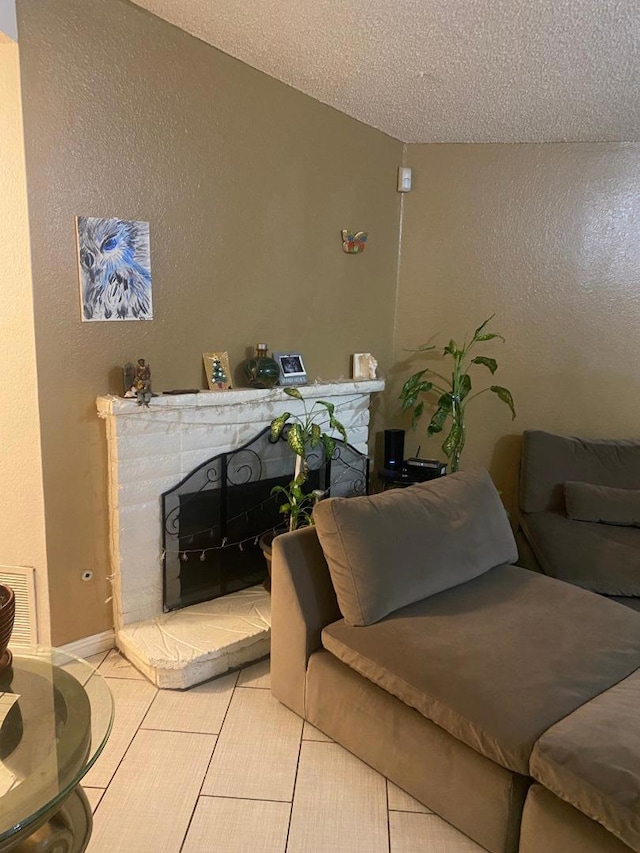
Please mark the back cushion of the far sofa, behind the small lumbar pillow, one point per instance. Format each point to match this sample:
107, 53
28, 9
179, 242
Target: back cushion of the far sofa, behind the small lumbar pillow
549, 461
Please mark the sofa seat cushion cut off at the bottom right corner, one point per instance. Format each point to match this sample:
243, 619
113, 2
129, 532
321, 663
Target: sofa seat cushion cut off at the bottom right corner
591, 759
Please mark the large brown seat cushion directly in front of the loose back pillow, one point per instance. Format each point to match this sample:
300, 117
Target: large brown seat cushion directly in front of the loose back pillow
498, 660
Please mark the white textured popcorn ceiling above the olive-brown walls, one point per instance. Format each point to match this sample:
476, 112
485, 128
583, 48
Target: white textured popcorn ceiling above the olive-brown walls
443, 70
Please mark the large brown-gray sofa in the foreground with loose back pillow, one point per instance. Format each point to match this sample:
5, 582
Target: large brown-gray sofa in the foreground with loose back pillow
505, 700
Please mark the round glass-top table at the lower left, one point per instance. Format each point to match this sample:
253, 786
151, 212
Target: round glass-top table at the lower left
56, 713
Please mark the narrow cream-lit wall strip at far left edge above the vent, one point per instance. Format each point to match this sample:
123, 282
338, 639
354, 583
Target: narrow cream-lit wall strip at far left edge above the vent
22, 534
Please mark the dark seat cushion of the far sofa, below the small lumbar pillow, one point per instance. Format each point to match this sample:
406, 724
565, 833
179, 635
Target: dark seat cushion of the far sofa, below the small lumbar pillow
599, 557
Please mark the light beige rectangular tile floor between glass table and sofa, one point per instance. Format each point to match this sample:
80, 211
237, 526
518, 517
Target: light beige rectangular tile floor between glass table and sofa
224, 767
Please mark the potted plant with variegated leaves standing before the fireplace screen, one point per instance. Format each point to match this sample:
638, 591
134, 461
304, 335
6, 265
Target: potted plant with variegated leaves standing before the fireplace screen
303, 433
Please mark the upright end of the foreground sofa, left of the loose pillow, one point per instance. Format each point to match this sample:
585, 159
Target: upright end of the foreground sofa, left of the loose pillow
303, 602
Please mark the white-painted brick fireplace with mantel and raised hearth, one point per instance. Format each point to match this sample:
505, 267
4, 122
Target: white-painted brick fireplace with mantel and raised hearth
149, 451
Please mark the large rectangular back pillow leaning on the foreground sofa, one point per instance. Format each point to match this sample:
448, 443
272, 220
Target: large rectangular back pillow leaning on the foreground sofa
388, 550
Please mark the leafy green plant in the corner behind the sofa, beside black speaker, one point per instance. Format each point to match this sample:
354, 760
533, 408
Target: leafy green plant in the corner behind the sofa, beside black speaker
454, 392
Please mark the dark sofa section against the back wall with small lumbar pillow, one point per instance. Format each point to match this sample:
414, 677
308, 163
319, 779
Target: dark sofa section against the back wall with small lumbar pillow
580, 512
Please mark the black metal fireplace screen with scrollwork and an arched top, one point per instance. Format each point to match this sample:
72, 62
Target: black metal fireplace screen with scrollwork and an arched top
213, 518
